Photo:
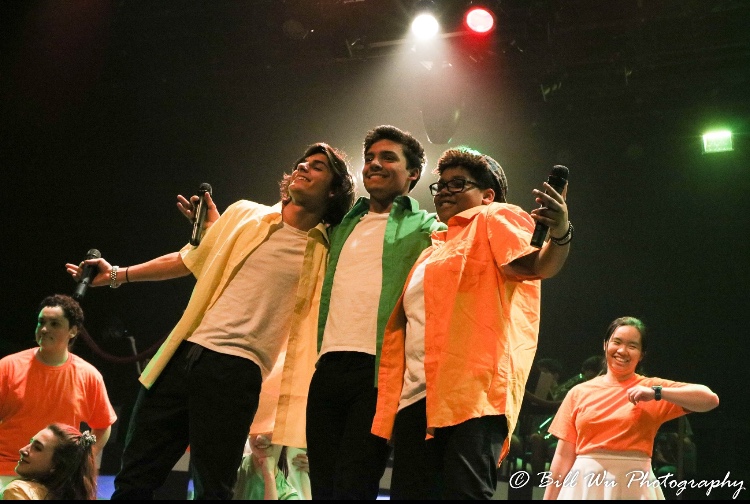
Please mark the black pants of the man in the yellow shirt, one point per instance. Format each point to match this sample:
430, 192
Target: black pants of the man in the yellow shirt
203, 399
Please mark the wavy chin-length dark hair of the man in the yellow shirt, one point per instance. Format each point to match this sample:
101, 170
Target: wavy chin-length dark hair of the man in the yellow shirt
342, 185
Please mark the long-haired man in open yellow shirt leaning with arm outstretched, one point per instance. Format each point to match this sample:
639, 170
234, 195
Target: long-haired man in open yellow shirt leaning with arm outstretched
259, 270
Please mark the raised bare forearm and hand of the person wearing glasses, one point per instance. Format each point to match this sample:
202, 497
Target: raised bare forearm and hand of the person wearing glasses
548, 260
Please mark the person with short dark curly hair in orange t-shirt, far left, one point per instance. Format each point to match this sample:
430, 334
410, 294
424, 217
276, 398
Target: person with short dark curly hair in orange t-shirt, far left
48, 384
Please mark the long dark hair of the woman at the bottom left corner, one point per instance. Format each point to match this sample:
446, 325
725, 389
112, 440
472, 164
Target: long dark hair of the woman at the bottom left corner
74, 474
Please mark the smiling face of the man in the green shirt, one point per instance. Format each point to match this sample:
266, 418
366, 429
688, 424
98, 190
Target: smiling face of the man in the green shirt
386, 174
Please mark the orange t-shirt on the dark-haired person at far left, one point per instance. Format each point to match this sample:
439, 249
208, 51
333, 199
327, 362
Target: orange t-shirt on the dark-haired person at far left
34, 395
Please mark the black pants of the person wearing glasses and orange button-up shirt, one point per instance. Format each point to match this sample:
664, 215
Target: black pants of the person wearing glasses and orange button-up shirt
460, 462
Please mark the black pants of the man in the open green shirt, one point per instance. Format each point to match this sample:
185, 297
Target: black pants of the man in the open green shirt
347, 461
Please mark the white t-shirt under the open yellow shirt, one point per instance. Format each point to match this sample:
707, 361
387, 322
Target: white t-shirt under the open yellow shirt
253, 316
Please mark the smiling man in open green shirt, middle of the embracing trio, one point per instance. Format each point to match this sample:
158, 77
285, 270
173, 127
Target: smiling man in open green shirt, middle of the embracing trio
372, 251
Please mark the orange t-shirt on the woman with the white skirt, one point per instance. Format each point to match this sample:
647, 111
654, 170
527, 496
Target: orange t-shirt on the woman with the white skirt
597, 415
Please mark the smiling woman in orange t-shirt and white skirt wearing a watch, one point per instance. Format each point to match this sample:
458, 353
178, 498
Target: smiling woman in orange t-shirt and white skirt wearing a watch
606, 426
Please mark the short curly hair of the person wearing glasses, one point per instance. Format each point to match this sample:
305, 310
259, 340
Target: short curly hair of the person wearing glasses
486, 171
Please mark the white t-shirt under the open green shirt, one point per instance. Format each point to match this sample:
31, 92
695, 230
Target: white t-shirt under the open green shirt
352, 321
